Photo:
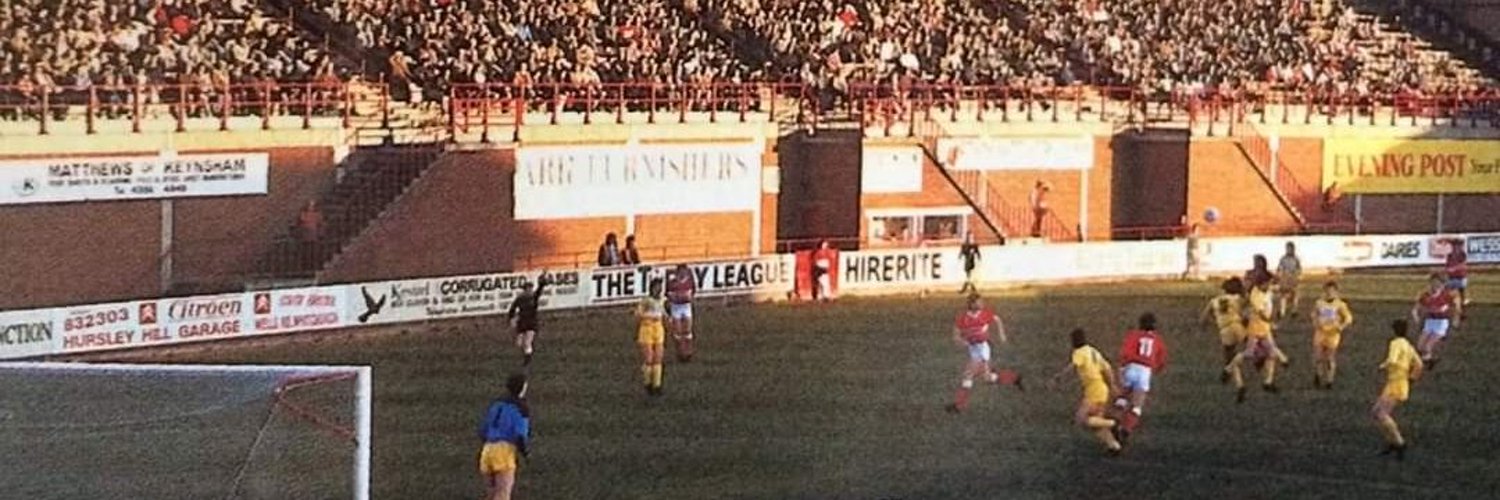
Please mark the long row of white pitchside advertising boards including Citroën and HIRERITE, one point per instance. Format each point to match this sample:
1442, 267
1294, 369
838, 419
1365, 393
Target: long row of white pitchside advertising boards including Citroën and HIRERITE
176, 321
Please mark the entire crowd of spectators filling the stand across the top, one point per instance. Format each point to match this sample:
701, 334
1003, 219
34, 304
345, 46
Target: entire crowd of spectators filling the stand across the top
425, 46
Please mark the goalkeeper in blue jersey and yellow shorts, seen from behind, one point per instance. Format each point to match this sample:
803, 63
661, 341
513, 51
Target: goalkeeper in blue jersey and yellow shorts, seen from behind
506, 433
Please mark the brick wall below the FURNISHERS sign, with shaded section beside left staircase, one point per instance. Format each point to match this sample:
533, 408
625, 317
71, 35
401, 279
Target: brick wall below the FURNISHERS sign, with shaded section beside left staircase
460, 218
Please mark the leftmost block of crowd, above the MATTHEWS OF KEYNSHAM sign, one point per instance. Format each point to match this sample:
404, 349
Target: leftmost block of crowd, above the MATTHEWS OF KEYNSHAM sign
64, 47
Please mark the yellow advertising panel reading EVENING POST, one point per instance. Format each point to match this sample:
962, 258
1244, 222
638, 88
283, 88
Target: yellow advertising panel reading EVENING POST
1411, 166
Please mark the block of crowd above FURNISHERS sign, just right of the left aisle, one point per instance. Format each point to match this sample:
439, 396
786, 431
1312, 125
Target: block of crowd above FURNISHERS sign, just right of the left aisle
586, 43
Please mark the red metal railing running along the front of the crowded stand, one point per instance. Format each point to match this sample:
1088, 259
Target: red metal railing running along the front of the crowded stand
479, 109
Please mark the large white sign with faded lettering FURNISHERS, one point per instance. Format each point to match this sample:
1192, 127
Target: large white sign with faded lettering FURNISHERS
644, 179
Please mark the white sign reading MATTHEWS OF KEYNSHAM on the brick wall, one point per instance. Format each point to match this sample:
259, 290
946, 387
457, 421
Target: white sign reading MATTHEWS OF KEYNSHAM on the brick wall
133, 178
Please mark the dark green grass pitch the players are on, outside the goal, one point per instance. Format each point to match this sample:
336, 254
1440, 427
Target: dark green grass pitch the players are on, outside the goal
847, 402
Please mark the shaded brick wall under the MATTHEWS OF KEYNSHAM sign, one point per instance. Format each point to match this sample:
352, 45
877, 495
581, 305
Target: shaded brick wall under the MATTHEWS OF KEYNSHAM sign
100, 252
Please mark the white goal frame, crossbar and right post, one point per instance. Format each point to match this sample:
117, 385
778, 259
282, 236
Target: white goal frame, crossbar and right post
362, 397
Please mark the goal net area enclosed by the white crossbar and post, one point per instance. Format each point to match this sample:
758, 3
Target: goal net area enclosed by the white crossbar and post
185, 432
